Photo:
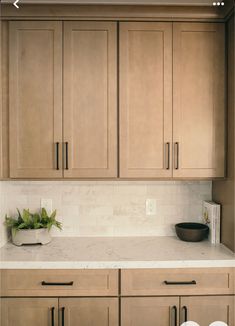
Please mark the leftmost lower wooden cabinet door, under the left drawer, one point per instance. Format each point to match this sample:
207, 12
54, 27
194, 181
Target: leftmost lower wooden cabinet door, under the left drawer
29, 312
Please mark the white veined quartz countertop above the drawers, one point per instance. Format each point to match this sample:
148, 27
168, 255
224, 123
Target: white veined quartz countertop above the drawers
125, 252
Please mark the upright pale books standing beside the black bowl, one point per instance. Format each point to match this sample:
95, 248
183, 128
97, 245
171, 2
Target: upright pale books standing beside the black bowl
211, 217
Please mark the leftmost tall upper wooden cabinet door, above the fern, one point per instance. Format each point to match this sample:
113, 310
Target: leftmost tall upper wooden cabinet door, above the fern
35, 99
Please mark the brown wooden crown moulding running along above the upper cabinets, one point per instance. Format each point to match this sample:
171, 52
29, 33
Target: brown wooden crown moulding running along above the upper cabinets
110, 12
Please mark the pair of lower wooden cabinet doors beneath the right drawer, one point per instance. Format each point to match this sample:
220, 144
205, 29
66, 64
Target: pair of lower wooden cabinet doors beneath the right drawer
174, 311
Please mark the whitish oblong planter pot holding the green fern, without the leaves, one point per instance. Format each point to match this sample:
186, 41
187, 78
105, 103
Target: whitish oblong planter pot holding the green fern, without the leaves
21, 237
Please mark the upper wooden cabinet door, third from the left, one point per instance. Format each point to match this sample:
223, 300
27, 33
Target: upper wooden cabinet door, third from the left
145, 99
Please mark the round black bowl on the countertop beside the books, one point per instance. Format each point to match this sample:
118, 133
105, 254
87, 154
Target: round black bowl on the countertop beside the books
191, 232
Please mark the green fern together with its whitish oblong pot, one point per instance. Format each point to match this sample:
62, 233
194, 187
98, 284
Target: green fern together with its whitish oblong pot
31, 228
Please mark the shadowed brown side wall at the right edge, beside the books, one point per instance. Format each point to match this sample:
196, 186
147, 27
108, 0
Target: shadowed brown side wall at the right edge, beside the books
223, 191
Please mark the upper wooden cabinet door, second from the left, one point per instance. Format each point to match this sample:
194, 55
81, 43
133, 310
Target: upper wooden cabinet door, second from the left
90, 99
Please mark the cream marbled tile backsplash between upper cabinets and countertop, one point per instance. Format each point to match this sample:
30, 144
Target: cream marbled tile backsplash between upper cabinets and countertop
109, 208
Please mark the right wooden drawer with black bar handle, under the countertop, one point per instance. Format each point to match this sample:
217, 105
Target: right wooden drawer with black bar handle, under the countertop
177, 281
